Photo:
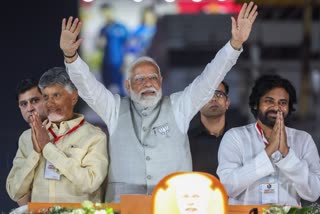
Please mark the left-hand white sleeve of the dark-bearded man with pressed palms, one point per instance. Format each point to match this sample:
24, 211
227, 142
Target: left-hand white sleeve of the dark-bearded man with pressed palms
236, 171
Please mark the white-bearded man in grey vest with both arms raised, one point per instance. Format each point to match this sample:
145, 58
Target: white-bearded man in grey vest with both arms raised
148, 132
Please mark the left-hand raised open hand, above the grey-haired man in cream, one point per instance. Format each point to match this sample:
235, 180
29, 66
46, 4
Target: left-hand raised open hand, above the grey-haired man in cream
70, 30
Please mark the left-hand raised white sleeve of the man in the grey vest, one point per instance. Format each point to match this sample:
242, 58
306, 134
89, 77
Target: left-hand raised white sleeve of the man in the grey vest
100, 99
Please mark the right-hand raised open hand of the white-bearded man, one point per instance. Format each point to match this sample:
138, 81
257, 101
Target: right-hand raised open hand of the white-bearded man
241, 27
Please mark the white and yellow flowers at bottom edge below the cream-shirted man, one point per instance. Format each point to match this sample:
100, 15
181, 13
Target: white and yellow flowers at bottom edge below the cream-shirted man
87, 208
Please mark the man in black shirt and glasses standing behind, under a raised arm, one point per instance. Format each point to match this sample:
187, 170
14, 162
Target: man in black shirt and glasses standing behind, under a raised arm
207, 129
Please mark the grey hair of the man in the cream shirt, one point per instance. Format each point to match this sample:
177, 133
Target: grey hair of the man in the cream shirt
59, 76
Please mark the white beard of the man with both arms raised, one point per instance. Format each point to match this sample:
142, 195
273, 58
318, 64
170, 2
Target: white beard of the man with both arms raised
146, 101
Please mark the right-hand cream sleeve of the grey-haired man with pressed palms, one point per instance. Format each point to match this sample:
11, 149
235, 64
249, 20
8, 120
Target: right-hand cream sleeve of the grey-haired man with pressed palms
85, 163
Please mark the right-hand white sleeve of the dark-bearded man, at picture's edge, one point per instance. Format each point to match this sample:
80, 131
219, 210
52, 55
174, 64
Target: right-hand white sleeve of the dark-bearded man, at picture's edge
302, 166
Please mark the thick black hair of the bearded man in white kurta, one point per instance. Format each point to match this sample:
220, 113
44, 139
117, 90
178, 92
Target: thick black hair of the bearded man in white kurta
264, 84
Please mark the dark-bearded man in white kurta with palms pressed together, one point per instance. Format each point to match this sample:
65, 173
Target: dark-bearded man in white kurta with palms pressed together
267, 162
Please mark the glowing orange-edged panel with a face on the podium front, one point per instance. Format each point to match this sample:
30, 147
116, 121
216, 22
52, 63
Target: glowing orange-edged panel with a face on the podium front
189, 193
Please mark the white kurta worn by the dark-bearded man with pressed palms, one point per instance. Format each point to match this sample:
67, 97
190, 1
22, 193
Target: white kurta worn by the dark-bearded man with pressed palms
244, 165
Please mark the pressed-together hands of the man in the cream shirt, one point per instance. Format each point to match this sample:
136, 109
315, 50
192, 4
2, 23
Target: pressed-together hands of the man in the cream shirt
40, 135
